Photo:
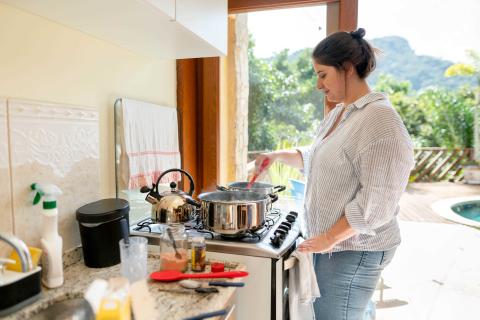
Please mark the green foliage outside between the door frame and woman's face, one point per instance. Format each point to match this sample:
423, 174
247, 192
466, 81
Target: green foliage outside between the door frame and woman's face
283, 101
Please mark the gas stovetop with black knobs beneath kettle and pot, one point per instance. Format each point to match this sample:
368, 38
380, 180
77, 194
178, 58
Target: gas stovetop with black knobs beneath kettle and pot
272, 240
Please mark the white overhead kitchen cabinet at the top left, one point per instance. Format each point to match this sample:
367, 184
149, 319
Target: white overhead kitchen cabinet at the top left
165, 29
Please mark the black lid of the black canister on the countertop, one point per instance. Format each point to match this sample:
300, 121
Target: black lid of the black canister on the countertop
102, 211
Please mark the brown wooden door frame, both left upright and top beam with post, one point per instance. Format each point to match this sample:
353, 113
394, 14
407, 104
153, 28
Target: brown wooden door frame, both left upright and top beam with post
198, 93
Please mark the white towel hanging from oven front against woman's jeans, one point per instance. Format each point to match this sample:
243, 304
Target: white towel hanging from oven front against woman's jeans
303, 287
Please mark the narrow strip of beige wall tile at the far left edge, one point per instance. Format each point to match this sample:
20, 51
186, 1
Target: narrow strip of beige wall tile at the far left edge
6, 225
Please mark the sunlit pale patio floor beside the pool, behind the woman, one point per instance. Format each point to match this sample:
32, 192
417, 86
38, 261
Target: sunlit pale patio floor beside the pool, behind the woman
435, 274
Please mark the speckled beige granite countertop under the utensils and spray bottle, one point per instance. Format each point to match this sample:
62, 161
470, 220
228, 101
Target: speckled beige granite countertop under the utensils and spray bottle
169, 305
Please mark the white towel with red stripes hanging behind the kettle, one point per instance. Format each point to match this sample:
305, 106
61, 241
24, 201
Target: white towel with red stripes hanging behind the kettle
149, 142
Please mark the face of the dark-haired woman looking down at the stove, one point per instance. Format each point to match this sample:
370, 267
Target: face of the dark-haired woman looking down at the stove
331, 81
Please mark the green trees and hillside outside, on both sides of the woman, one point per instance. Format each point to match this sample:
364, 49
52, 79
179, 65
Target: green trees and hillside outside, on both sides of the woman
284, 104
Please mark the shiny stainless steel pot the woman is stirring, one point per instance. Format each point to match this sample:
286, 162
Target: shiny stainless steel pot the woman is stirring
232, 213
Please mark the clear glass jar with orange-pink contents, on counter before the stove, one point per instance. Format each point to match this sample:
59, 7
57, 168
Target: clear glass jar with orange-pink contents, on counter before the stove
171, 259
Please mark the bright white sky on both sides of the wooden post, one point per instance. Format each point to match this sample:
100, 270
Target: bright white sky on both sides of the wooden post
442, 29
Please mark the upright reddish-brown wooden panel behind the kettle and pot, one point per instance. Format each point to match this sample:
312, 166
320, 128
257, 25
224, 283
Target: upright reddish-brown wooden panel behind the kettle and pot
198, 103
